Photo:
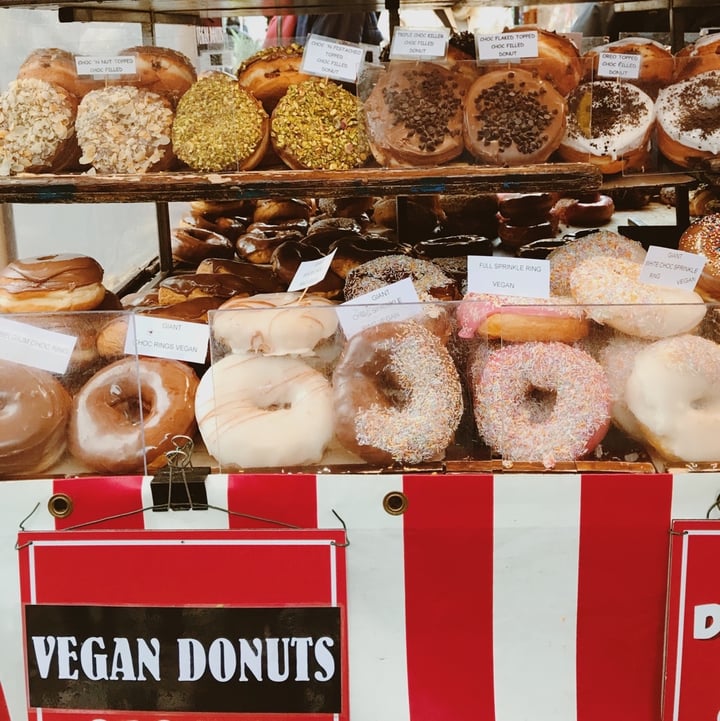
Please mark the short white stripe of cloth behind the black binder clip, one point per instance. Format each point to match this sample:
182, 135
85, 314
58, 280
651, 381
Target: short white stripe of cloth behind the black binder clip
216, 516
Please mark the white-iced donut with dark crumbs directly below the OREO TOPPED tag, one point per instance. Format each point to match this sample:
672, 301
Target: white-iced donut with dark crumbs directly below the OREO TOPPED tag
610, 125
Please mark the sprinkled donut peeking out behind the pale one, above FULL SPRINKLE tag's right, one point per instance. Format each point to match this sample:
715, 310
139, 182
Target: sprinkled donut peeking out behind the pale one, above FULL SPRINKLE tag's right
564, 259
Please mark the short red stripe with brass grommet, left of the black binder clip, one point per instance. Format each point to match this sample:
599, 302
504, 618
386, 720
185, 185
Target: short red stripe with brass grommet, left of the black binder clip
113, 502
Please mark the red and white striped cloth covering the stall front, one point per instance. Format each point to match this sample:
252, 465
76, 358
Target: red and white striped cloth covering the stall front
498, 598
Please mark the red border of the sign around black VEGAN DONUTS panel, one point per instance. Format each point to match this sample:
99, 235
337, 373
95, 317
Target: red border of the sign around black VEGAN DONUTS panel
236, 568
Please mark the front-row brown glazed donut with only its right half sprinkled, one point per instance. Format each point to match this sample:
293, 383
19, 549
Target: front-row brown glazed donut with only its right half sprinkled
397, 394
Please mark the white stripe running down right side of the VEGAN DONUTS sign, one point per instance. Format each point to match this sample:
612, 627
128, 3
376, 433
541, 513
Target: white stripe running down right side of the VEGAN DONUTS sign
376, 592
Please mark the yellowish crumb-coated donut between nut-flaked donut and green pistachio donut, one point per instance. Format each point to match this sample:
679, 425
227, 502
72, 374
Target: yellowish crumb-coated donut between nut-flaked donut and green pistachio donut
220, 126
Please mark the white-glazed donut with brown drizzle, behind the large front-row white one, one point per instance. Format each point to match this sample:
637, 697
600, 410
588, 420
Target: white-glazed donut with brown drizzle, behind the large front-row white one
275, 323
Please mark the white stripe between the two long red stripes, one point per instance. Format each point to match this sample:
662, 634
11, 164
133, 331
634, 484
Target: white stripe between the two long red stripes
536, 546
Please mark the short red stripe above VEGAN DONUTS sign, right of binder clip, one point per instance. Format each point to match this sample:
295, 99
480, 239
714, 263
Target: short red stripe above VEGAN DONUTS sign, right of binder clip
269, 501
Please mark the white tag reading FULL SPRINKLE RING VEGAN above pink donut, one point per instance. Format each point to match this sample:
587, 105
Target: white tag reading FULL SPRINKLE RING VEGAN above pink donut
526, 277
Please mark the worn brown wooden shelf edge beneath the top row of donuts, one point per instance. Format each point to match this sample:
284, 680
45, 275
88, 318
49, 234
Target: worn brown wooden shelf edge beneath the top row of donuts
186, 186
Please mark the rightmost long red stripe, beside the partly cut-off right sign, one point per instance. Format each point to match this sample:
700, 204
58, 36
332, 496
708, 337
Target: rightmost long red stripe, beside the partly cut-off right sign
622, 586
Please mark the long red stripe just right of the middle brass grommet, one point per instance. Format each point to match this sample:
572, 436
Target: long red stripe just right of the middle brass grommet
448, 536
